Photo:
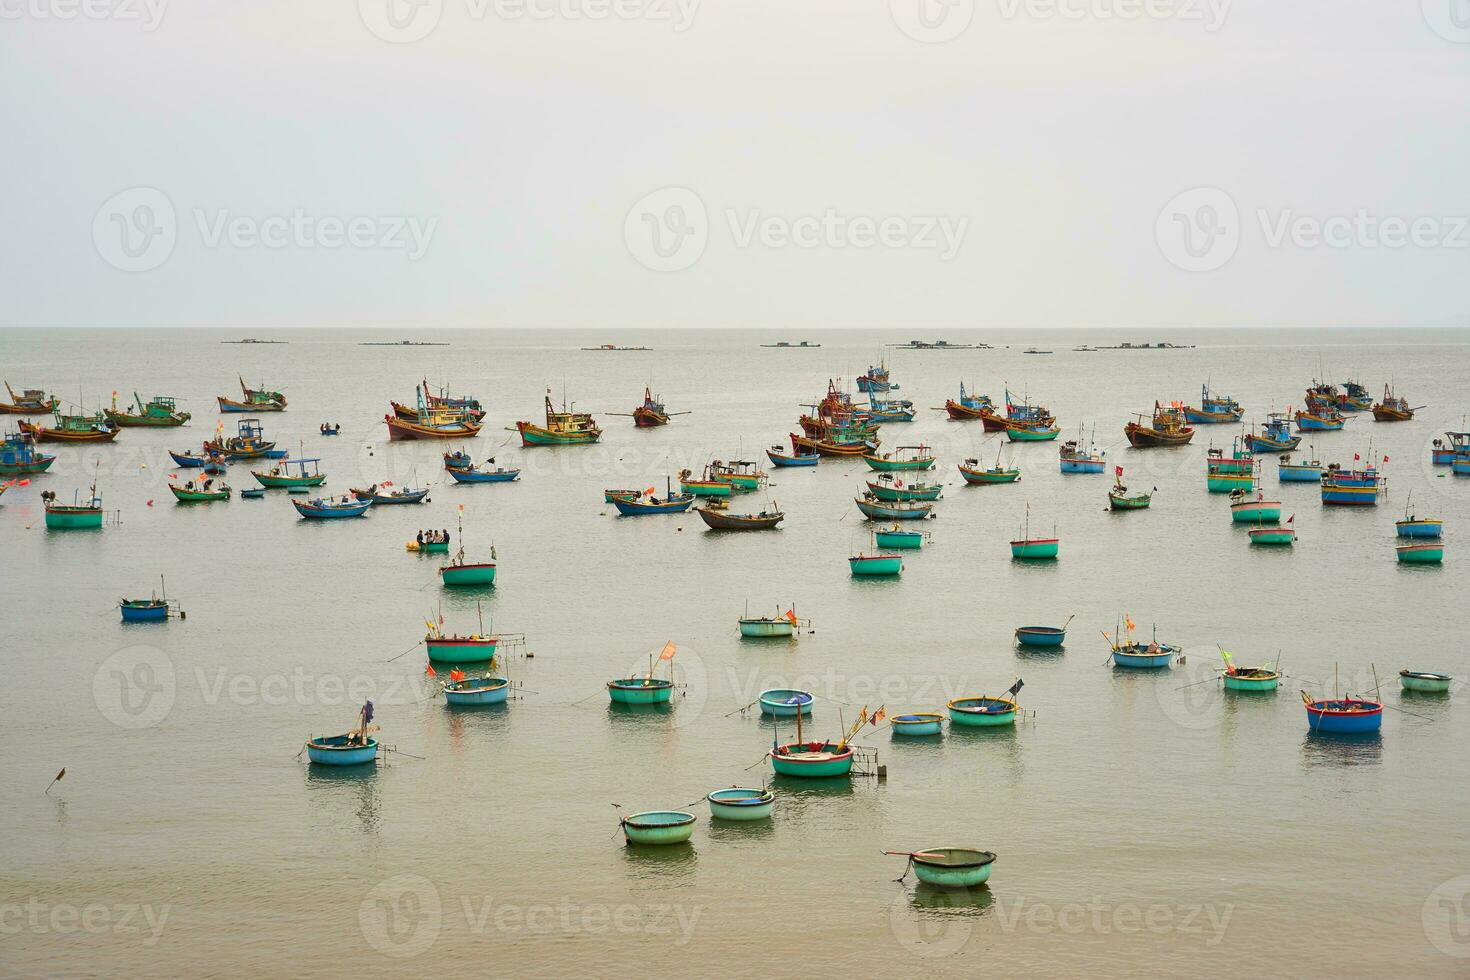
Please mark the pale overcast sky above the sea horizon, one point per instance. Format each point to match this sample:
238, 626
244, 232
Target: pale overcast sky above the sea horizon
734, 162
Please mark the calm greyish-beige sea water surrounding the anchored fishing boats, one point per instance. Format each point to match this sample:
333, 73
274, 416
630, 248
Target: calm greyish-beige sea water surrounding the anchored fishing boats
1143, 819
